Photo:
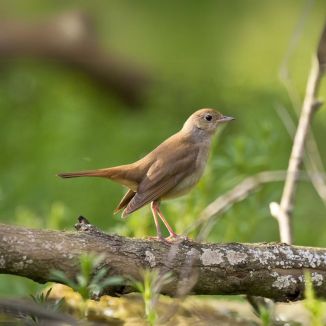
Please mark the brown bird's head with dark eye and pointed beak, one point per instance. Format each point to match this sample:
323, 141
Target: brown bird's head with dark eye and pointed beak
205, 121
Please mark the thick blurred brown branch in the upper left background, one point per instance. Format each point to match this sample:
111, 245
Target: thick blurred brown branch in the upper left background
71, 39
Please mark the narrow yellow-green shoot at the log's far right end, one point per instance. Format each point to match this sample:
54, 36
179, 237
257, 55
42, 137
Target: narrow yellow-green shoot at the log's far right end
312, 304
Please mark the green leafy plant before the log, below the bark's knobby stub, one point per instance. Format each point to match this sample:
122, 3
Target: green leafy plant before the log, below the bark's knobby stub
91, 279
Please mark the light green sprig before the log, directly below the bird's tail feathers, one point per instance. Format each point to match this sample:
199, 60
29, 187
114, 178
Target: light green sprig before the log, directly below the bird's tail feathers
149, 289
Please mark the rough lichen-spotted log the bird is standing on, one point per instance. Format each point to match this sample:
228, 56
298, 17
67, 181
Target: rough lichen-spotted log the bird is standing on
270, 270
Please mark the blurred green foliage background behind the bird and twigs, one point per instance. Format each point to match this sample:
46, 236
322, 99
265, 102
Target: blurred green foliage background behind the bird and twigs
220, 54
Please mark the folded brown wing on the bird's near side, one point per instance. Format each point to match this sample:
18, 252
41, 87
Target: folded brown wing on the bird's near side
163, 176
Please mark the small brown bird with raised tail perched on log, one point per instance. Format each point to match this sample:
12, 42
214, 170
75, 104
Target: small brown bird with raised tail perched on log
169, 171
